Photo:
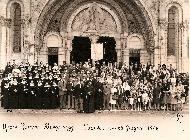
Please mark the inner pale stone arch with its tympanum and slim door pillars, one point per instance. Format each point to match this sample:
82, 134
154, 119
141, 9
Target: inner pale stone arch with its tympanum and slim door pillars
92, 20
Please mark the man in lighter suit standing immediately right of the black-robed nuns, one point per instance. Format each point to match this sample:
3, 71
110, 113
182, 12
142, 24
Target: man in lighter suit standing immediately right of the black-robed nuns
62, 93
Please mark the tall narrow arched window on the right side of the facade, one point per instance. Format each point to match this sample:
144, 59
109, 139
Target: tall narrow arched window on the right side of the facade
172, 31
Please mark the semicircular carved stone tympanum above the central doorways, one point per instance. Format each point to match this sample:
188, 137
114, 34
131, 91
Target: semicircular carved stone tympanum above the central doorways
94, 18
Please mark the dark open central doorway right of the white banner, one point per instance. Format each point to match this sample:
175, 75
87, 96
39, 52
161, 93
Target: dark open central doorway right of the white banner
109, 45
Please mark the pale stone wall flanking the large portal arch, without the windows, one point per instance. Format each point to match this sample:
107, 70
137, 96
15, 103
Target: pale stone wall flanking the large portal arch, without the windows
33, 9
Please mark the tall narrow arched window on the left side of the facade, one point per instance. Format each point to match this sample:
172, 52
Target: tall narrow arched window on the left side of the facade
16, 27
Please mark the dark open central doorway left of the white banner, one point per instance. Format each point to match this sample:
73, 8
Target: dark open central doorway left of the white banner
81, 51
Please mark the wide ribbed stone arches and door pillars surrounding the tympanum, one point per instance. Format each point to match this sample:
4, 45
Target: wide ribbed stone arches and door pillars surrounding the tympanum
58, 15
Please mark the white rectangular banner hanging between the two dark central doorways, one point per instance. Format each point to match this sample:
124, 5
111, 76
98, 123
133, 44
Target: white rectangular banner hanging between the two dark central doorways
97, 51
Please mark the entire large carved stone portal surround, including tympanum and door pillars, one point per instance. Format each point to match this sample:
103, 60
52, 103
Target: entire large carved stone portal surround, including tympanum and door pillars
95, 18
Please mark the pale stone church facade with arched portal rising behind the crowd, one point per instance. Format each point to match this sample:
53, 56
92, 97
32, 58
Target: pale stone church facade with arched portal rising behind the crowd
145, 31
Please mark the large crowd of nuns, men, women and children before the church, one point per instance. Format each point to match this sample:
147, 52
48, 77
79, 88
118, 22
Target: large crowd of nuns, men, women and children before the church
86, 87
